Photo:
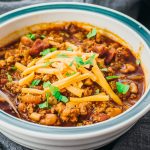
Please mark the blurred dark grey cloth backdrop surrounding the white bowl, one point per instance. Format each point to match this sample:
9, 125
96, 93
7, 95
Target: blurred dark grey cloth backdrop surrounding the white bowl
138, 138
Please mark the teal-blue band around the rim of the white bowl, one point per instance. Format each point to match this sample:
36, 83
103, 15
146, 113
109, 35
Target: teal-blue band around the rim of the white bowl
137, 27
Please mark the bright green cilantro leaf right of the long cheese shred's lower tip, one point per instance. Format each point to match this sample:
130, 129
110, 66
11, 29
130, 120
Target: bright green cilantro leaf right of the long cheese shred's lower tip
122, 88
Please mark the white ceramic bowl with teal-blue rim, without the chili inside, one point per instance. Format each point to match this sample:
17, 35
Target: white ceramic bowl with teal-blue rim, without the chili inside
87, 137
